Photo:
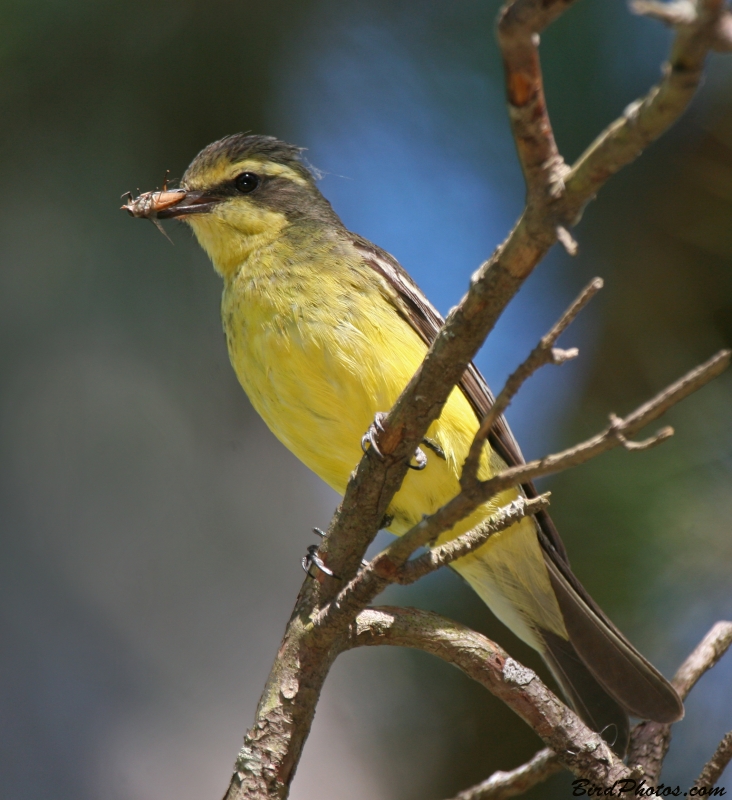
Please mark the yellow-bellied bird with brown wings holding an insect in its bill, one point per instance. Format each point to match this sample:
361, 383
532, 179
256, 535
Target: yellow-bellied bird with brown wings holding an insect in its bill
324, 330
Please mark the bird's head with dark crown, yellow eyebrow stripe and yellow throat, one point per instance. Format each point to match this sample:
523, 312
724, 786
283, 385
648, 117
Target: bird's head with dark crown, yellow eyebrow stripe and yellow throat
241, 193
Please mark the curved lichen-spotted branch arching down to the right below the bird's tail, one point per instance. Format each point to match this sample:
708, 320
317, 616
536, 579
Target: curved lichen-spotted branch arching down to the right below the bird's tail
579, 749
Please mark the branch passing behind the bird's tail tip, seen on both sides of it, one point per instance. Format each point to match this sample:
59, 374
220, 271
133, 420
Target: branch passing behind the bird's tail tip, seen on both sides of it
650, 741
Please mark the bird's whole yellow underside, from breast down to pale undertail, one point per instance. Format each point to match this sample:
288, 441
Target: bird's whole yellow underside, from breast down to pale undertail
318, 359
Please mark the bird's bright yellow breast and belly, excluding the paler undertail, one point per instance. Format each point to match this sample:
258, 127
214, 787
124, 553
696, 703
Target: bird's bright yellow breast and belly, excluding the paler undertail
319, 350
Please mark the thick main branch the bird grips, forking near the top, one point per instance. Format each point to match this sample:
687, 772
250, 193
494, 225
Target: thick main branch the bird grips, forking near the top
555, 199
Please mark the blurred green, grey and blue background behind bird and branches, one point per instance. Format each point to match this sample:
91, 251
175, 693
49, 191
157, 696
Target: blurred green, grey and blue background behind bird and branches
150, 526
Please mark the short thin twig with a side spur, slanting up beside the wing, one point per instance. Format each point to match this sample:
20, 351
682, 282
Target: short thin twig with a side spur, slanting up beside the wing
543, 353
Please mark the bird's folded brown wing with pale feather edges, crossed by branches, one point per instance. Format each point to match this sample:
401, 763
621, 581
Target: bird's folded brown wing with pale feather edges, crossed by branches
426, 320
